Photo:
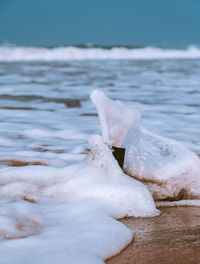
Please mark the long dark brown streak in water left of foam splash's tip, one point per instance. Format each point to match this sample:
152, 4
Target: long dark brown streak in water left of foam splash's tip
27, 98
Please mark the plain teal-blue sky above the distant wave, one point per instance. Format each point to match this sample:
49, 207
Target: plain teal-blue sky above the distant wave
174, 23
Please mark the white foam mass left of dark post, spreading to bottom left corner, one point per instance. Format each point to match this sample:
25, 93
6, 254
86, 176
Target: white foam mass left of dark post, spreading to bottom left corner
66, 215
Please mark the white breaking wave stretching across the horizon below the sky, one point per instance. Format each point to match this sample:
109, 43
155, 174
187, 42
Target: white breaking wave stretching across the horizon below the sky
12, 53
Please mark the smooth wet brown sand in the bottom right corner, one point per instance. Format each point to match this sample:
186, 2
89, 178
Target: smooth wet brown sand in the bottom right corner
172, 237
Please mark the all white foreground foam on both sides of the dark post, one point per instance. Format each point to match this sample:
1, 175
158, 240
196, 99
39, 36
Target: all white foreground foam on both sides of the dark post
67, 214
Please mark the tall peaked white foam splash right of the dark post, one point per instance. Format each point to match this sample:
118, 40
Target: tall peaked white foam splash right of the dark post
168, 168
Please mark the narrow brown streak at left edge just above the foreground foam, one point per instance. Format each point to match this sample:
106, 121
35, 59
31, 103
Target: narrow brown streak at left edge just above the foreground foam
20, 163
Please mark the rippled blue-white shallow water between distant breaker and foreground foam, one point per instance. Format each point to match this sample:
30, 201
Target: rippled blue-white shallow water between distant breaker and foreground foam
46, 114
